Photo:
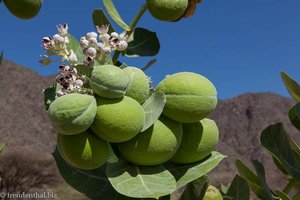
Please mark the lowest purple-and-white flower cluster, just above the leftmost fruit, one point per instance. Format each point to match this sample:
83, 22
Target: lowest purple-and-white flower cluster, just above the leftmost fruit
69, 80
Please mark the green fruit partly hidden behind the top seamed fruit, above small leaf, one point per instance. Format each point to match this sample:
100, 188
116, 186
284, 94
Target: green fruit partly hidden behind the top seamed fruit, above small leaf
138, 87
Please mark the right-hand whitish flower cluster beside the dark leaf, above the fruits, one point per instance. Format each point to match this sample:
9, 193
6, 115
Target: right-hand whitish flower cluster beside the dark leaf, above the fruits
107, 43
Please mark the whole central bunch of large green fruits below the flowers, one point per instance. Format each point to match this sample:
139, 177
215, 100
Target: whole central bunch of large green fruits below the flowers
87, 125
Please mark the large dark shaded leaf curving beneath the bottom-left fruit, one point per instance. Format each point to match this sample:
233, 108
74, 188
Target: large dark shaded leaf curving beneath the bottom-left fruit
93, 183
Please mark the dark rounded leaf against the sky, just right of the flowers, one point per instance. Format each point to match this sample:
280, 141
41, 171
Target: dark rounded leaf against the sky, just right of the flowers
143, 43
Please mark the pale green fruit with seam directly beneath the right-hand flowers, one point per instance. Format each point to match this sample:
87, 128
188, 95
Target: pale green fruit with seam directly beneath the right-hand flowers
109, 81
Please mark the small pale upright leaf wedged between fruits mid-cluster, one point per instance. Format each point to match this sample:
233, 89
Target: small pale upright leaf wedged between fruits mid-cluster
153, 108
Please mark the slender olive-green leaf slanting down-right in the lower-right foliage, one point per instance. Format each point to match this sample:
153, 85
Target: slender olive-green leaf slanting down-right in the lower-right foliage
252, 179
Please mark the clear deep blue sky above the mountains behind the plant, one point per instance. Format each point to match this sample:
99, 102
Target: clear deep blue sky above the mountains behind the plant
241, 46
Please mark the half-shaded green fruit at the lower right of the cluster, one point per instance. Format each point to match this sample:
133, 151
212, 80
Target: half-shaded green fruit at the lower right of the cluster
198, 141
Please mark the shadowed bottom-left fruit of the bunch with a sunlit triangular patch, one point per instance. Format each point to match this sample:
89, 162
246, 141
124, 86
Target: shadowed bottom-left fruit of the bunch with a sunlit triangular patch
83, 151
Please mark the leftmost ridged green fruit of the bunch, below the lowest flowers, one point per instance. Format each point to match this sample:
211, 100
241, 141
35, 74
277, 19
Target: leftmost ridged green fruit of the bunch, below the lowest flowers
72, 113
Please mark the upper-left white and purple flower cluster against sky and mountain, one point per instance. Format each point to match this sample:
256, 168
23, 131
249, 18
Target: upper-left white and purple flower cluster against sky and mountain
57, 45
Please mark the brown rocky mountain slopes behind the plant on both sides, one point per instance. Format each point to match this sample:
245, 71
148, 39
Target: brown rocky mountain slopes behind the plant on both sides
25, 128
